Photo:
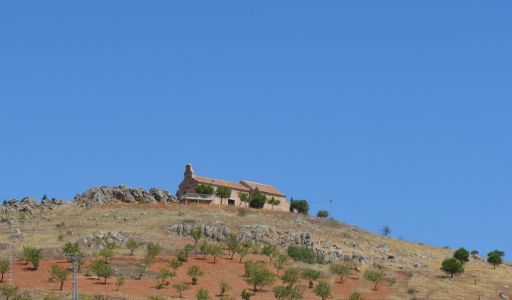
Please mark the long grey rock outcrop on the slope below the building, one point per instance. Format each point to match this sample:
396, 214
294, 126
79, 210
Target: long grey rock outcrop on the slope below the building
266, 234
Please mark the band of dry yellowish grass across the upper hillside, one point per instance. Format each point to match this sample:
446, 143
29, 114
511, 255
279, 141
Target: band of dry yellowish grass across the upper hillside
151, 221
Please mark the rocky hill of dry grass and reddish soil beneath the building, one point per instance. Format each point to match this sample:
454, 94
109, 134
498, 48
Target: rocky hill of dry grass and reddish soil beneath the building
117, 214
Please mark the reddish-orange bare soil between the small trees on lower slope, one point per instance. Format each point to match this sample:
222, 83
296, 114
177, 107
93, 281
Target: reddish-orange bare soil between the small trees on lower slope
224, 269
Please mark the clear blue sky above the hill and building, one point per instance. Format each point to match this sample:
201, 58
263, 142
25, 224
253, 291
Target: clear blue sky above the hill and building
399, 111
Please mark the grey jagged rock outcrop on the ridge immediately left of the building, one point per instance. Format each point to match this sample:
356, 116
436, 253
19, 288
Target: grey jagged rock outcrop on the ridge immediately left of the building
106, 195
